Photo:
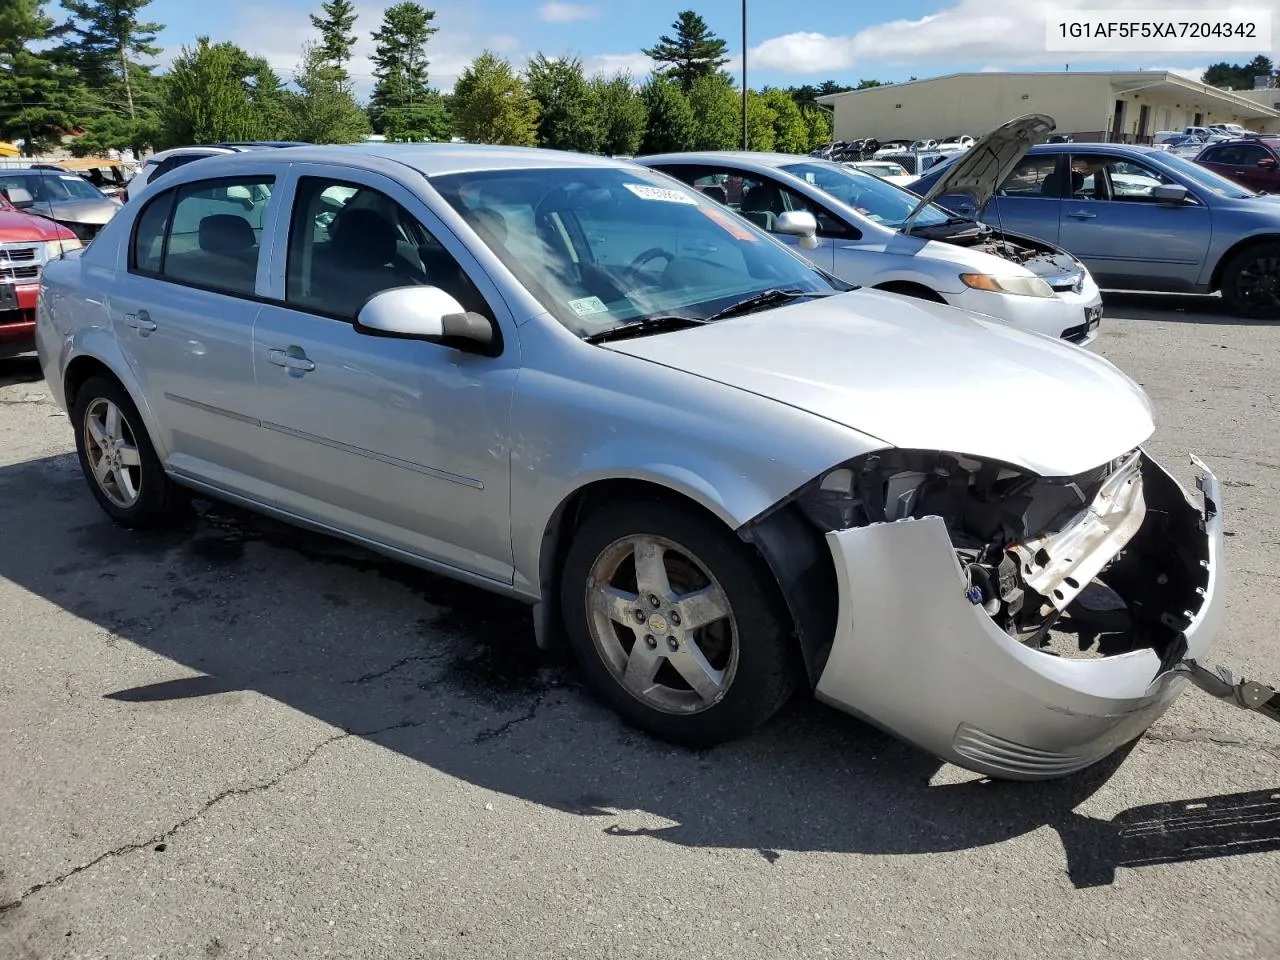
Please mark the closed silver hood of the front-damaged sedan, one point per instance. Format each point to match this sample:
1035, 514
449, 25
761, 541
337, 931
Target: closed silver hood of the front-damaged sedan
921, 376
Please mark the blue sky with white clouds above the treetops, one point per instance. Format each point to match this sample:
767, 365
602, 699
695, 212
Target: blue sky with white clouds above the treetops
789, 43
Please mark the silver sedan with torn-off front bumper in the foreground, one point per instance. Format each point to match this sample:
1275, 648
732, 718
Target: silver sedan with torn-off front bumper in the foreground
715, 470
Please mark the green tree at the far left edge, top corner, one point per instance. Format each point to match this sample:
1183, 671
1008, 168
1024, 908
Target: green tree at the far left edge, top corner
40, 99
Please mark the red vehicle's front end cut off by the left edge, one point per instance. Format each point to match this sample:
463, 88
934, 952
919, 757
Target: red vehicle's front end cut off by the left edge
28, 243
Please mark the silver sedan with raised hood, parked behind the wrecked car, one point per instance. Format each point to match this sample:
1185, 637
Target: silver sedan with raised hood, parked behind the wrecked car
876, 235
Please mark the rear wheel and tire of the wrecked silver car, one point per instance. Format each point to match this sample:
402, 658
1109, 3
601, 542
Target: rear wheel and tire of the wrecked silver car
135, 491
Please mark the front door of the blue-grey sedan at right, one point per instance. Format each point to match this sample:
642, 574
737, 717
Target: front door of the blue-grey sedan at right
1127, 237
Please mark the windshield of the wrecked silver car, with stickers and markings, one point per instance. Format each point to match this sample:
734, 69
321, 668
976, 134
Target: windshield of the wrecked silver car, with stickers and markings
602, 248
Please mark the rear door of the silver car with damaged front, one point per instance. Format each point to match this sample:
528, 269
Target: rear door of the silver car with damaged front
184, 314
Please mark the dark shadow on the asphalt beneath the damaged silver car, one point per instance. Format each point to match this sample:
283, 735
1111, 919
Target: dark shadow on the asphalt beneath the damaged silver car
449, 675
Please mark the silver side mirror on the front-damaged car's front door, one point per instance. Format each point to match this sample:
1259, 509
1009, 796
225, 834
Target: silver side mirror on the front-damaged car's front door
426, 314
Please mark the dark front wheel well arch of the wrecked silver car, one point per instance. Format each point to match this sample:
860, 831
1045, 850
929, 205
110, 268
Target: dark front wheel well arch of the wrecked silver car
560, 534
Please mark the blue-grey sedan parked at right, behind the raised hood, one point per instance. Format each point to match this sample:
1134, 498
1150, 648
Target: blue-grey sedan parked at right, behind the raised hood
1187, 231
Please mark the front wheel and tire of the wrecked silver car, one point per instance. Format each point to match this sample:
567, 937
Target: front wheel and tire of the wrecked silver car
749, 652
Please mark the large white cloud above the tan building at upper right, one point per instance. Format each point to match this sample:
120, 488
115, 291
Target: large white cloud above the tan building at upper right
986, 31
